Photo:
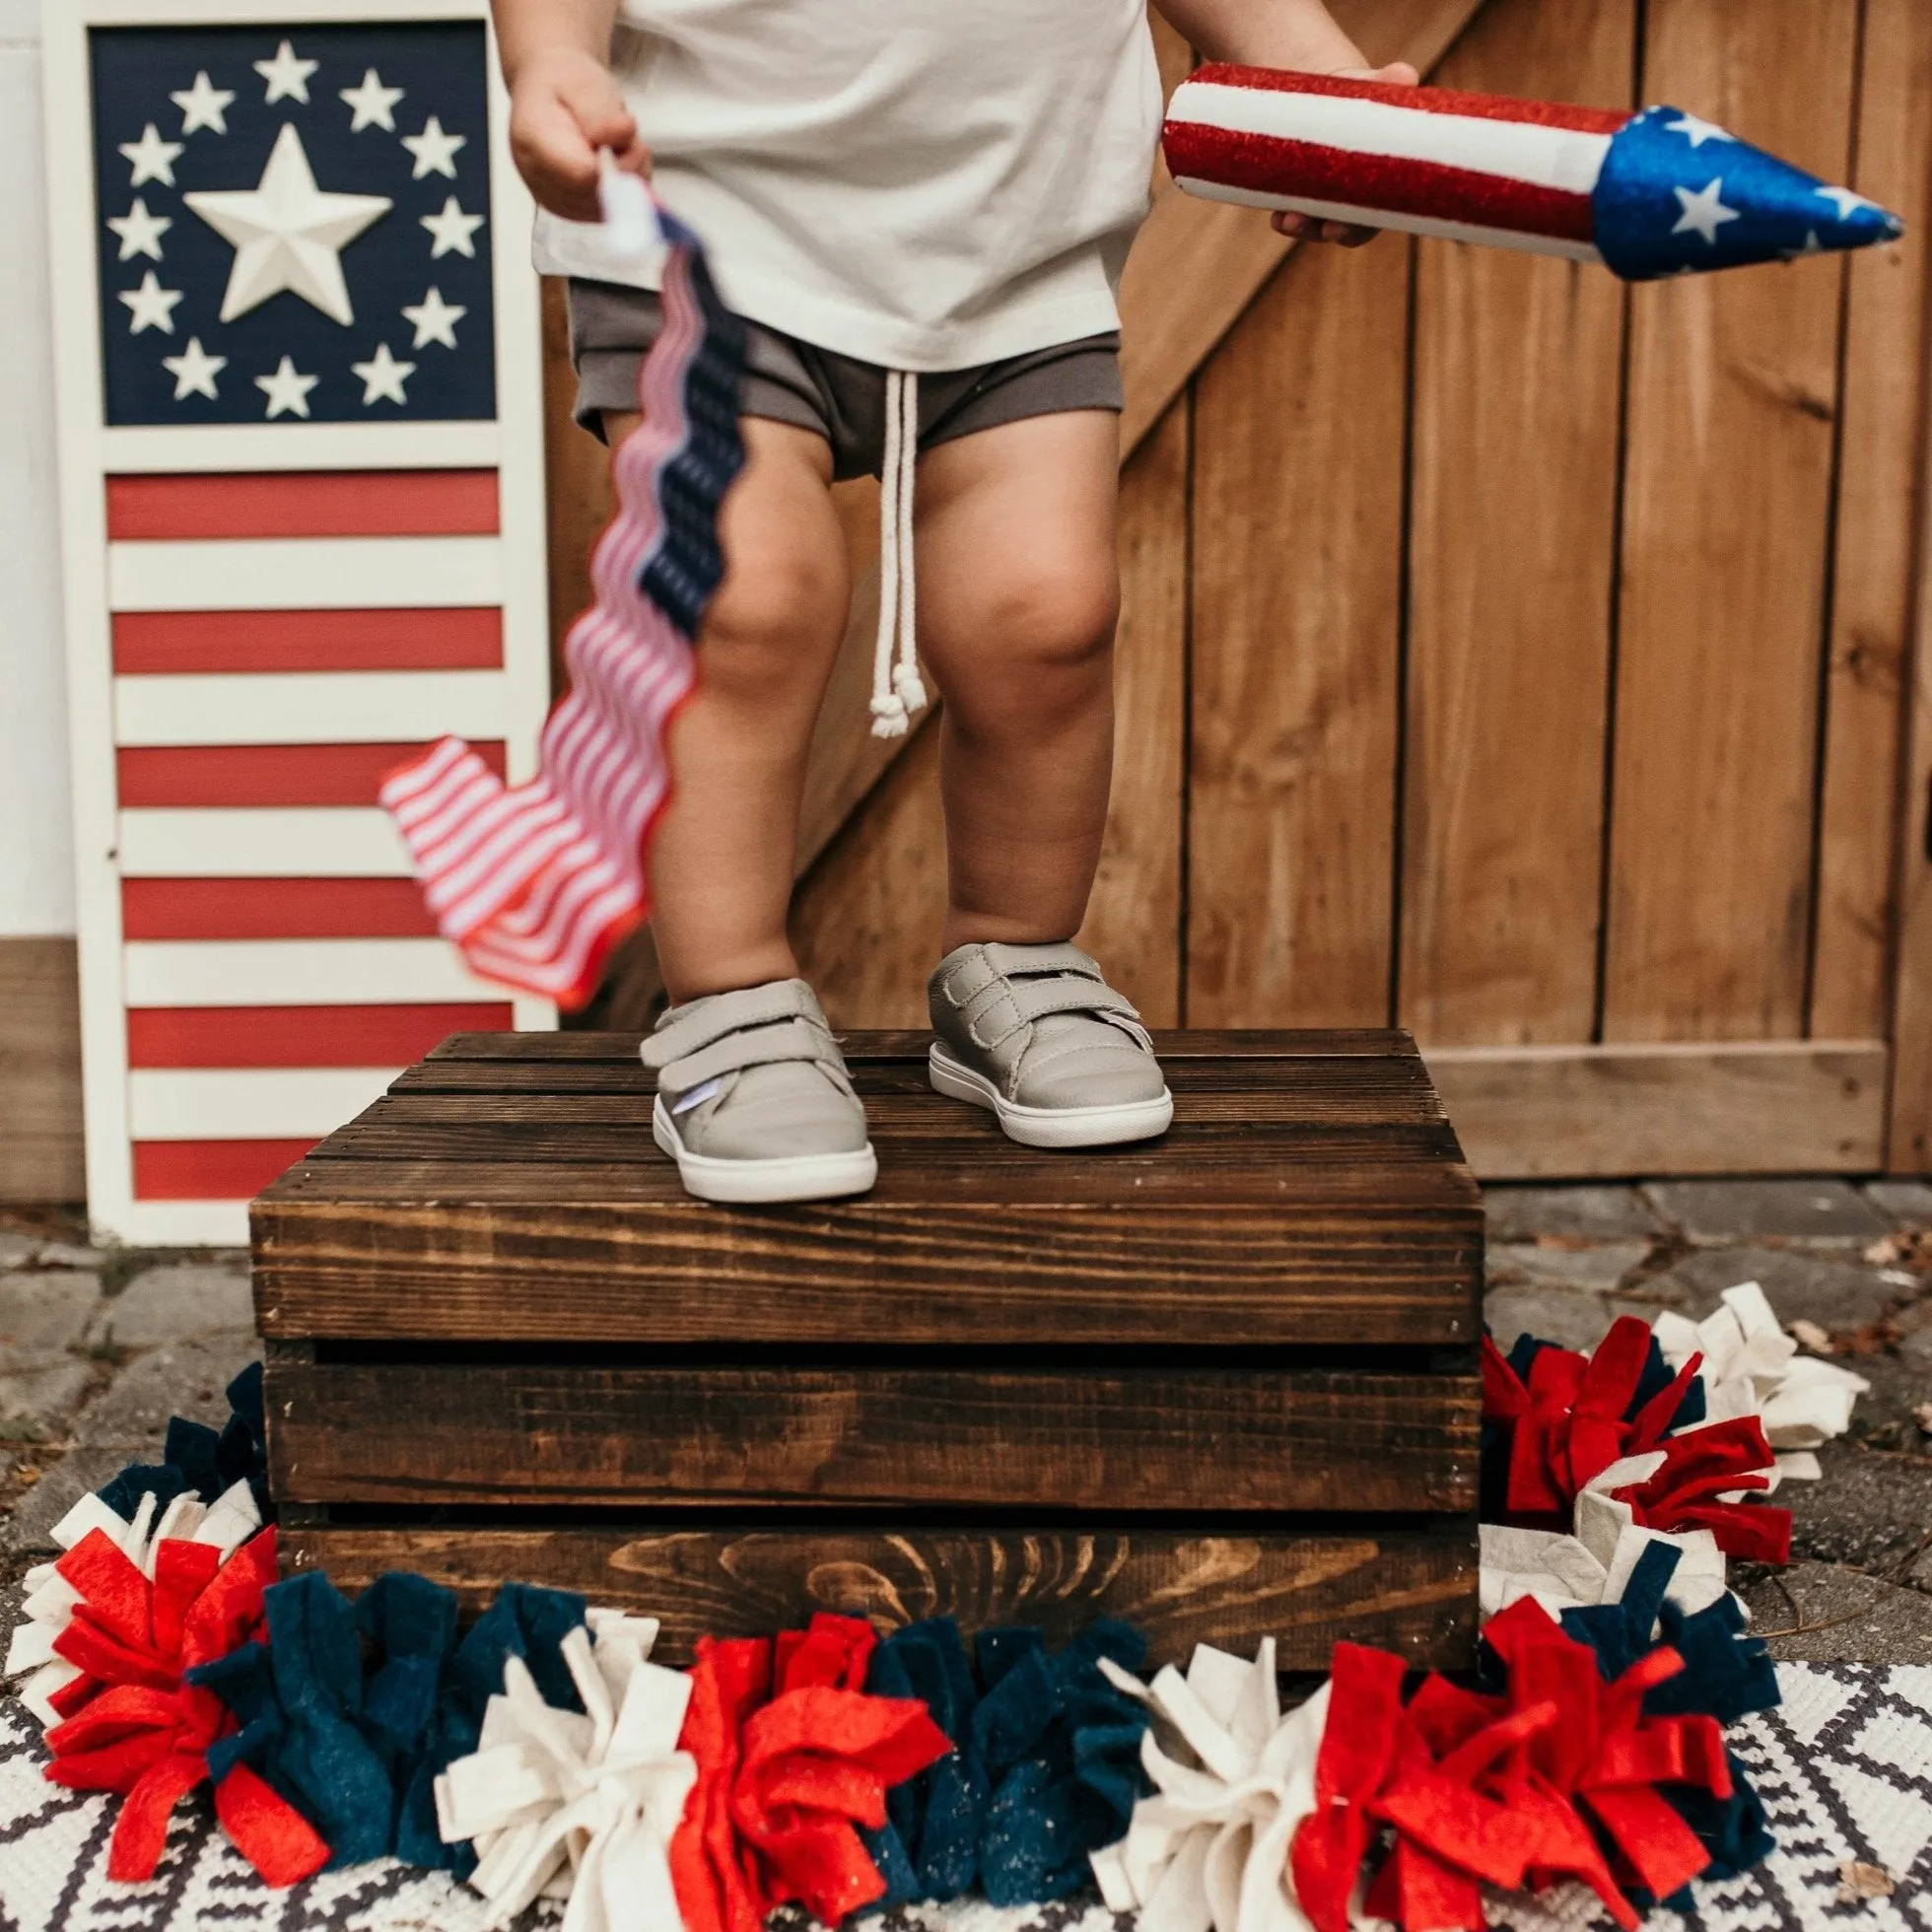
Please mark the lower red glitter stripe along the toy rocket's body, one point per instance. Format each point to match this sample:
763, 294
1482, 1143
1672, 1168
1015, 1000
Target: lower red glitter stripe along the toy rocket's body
1388, 185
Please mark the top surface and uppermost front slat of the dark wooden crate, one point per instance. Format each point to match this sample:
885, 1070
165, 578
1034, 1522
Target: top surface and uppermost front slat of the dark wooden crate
1299, 1199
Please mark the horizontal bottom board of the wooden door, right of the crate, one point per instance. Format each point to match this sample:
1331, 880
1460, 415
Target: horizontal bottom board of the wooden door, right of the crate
1548, 1114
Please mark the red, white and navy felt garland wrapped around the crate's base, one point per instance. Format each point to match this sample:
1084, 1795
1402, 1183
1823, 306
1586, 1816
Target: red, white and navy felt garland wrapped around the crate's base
546, 1755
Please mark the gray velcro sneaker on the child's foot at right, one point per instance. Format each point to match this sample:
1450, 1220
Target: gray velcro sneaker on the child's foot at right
1040, 1038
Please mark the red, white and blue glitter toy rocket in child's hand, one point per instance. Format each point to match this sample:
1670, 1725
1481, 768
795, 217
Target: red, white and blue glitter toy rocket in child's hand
1651, 194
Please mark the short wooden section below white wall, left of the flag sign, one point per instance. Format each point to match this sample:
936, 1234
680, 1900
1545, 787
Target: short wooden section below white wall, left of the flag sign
42, 1154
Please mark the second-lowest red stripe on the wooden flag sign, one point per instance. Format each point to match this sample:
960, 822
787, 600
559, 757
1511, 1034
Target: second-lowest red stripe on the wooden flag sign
302, 1037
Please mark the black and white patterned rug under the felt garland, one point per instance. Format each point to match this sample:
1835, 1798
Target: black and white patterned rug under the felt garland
1844, 1765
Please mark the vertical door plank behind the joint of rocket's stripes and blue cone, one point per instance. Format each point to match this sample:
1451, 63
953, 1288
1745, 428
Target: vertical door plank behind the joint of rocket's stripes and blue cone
1514, 507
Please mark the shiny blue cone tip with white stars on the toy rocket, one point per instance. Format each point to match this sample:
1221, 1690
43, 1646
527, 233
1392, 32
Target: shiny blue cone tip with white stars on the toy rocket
1678, 196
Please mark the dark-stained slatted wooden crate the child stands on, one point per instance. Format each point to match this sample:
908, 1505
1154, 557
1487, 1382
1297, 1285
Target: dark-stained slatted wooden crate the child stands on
1224, 1384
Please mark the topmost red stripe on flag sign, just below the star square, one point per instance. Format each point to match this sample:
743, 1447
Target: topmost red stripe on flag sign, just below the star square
324, 503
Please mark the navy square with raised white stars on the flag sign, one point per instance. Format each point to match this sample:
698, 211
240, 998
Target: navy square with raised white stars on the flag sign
291, 233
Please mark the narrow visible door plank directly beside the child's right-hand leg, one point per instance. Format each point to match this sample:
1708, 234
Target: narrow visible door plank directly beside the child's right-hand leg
1133, 923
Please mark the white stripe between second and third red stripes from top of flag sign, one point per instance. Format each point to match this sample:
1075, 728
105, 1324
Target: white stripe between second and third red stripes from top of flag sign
312, 708
